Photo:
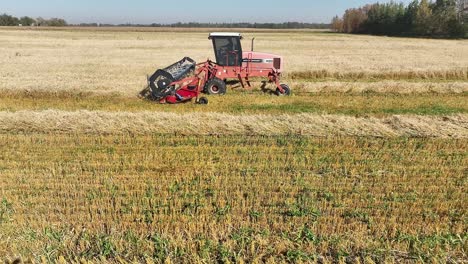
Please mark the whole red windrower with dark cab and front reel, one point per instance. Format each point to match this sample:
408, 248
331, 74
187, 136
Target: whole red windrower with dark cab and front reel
185, 79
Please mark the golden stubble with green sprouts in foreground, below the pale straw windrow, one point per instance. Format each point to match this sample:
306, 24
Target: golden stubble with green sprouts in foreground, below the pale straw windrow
233, 198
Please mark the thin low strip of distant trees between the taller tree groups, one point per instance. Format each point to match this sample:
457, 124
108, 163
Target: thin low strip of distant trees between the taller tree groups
286, 25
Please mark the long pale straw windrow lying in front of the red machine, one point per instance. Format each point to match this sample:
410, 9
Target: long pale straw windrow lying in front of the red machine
98, 122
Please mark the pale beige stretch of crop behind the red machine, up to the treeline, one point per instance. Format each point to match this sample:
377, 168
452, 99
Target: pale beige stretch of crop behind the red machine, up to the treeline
118, 61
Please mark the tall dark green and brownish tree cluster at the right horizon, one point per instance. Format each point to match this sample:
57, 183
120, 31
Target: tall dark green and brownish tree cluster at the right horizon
442, 18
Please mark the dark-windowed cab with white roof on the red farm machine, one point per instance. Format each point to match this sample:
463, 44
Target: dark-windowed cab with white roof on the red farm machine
227, 48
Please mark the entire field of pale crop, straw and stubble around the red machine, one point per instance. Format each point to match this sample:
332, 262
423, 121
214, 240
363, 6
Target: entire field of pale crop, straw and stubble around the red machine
366, 162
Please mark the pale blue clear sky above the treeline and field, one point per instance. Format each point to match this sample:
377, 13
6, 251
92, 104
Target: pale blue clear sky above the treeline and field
170, 11
